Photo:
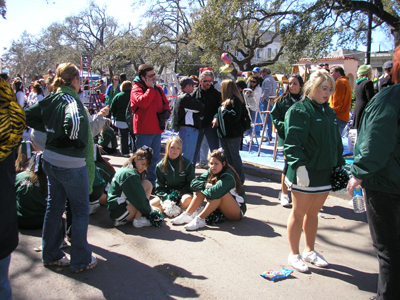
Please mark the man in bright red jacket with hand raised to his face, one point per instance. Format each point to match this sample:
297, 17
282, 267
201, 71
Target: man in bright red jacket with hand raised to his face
150, 109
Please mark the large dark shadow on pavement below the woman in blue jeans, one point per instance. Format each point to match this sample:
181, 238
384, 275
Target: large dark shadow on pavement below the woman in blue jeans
116, 276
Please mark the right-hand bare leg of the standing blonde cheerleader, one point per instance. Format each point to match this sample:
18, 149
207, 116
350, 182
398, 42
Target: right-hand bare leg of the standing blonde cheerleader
310, 224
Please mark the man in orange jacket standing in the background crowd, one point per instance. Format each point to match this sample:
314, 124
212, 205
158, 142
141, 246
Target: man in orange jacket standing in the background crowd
340, 101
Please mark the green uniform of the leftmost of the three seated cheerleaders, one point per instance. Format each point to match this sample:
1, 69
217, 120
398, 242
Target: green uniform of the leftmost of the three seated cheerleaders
126, 187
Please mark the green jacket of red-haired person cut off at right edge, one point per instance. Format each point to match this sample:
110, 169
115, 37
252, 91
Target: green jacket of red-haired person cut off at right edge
377, 151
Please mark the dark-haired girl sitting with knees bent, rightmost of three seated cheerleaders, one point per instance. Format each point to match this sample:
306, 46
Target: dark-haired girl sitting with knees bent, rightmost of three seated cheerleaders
221, 188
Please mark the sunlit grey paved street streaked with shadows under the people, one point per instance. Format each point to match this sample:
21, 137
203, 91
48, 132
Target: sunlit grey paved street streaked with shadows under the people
218, 262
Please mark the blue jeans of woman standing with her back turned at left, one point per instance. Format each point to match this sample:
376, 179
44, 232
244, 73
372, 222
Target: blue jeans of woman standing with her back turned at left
74, 184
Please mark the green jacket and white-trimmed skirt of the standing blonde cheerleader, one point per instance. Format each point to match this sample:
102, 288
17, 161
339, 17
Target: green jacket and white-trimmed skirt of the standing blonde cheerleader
312, 140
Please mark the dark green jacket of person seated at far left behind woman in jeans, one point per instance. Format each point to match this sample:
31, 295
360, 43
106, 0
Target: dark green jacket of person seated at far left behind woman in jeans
31, 205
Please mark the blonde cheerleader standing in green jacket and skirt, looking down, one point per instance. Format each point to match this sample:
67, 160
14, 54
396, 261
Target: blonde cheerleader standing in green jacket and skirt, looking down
313, 147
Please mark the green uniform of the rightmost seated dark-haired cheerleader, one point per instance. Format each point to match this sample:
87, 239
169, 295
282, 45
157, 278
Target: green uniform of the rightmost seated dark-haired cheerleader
226, 184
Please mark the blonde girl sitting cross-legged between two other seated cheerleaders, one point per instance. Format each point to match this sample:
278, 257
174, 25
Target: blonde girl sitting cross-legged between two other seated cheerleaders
174, 175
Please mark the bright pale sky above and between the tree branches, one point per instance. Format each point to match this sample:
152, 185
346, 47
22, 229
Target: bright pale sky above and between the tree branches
34, 15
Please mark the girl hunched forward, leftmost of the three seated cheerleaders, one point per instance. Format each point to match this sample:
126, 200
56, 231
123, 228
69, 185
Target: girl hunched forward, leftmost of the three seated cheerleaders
129, 192
